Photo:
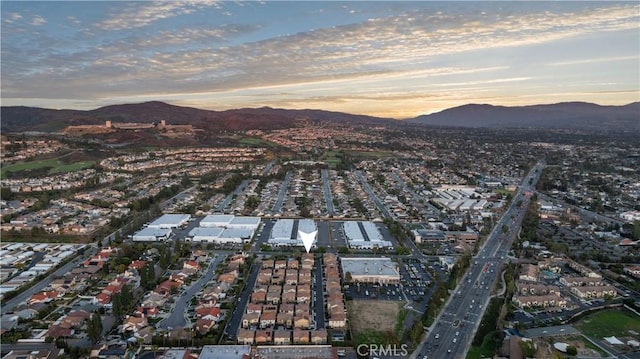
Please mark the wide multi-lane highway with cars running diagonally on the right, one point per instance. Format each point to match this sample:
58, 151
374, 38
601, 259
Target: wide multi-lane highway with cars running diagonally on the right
455, 327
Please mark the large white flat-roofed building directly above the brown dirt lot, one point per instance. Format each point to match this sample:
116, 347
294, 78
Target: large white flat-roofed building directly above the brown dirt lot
371, 270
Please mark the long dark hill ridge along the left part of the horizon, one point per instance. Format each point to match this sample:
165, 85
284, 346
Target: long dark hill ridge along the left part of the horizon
20, 118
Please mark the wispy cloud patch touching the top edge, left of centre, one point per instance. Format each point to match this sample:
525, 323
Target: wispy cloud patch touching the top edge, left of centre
136, 15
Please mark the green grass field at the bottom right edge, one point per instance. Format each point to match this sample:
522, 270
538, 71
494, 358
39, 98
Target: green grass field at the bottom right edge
607, 323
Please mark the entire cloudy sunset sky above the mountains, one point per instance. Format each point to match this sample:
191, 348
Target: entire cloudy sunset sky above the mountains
381, 58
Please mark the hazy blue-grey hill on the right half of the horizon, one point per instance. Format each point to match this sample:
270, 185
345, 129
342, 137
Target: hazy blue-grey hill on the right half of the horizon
569, 115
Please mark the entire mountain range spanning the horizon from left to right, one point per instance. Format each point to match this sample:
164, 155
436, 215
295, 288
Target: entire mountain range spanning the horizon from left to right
569, 115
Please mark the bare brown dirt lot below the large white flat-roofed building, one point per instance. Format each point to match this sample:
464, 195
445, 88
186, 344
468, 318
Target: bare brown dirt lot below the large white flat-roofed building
373, 314
